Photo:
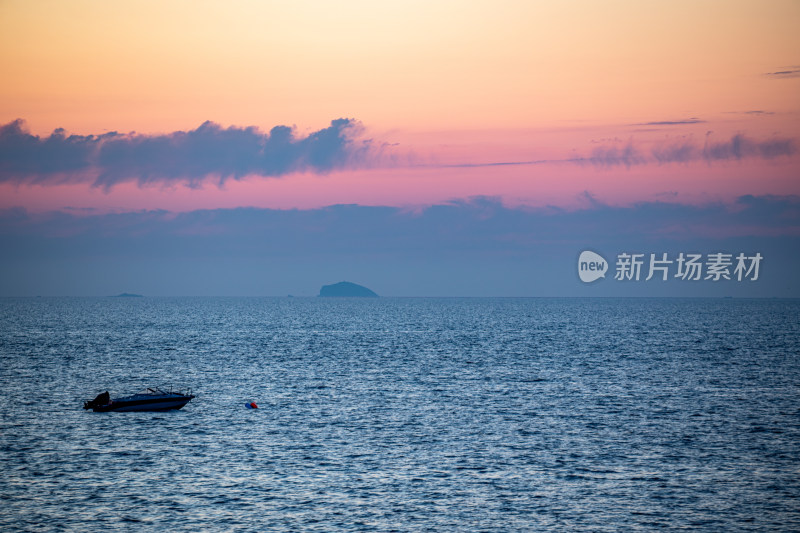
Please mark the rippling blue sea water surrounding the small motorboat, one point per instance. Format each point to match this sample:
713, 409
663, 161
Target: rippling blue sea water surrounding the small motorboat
402, 414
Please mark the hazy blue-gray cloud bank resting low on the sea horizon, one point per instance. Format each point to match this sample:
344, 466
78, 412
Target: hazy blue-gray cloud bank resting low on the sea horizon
471, 247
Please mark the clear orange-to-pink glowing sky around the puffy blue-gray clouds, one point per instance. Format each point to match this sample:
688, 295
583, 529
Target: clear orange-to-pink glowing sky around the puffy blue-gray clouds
451, 82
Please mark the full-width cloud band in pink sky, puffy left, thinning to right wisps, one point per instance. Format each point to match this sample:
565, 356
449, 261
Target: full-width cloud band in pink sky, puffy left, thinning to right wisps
211, 152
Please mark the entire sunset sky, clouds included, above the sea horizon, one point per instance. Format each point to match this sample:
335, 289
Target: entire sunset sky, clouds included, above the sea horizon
468, 148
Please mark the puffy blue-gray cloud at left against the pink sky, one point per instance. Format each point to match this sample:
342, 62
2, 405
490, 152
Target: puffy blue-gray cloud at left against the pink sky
190, 157
